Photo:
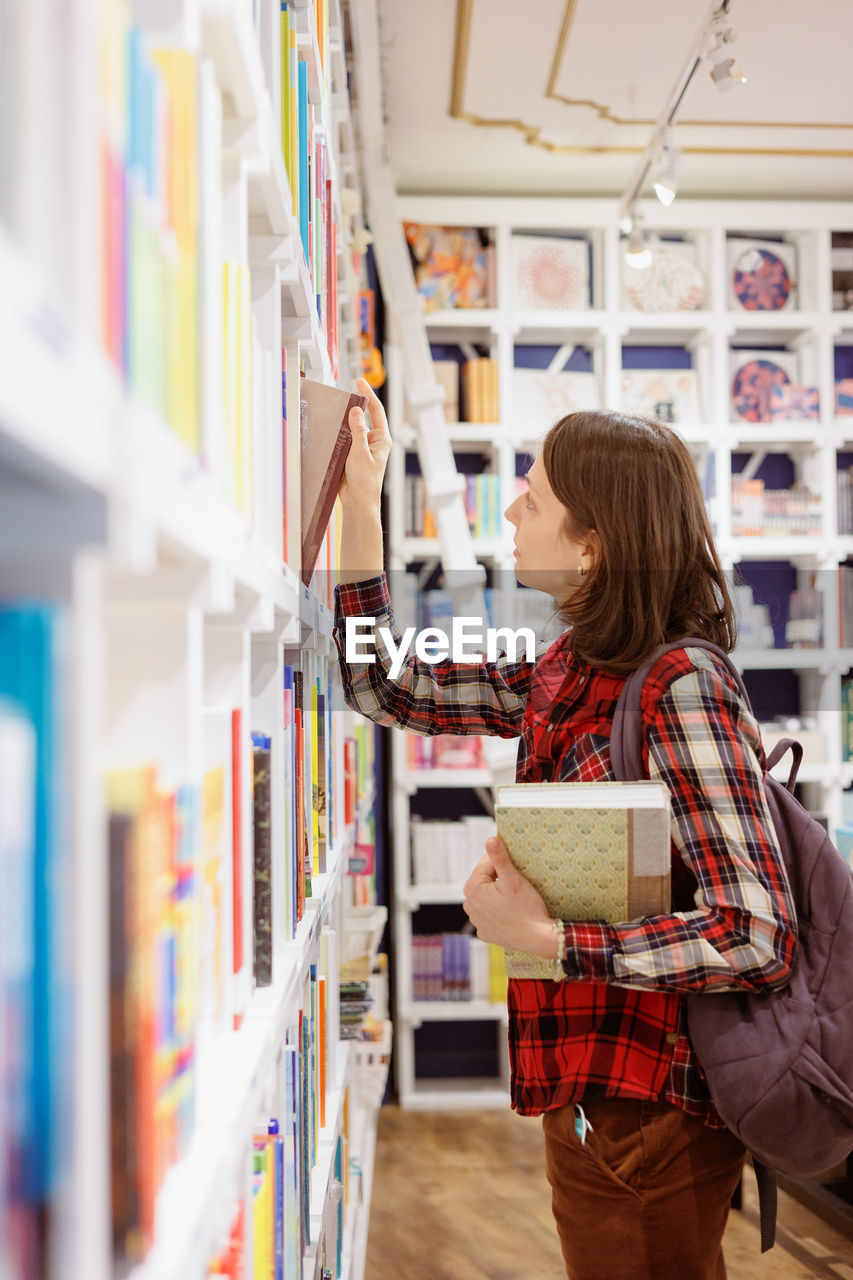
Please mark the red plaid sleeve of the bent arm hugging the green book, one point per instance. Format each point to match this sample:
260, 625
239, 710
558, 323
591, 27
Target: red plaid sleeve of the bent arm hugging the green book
742, 935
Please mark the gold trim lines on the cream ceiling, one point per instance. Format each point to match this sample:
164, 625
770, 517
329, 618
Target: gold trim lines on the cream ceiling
533, 132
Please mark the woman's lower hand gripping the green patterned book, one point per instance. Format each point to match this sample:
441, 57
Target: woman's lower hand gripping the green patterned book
505, 908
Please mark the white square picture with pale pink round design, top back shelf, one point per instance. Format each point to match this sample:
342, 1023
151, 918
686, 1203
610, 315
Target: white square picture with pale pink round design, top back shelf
550, 273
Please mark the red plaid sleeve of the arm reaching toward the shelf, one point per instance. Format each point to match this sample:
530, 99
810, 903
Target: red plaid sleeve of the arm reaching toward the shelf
426, 698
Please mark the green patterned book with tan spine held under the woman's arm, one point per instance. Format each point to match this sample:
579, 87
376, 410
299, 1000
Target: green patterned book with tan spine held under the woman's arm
595, 851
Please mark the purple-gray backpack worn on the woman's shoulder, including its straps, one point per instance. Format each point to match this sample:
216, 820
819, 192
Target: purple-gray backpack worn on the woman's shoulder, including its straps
779, 1066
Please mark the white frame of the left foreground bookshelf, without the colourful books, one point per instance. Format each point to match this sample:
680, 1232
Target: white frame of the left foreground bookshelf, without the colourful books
179, 601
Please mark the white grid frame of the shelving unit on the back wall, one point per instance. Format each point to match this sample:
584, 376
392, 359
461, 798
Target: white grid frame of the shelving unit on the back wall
808, 330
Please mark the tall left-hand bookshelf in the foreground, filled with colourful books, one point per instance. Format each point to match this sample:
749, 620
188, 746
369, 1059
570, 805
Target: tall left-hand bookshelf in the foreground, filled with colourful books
186, 858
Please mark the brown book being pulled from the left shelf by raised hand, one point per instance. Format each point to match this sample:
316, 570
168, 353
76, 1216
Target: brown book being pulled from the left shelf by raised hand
326, 440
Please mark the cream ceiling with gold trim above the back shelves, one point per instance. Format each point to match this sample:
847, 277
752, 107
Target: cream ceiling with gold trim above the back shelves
562, 97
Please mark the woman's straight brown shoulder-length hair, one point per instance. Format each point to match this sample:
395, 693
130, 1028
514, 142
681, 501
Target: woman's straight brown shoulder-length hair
659, 577
